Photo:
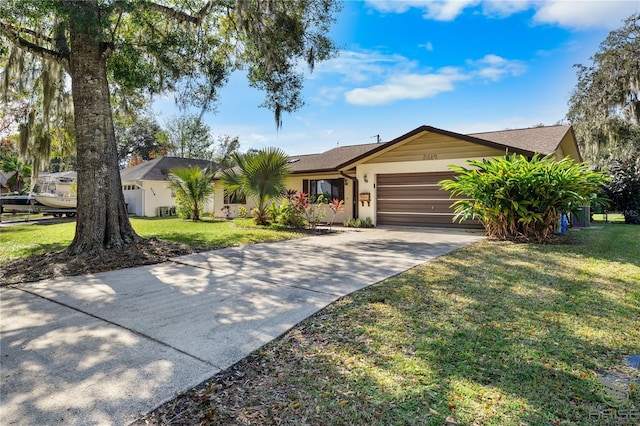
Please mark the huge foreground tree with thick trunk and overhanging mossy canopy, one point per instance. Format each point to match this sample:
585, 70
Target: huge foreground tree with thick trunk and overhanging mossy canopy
187, 47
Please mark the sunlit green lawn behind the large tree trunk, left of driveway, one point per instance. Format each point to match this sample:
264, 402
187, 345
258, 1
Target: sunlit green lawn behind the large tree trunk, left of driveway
31, 239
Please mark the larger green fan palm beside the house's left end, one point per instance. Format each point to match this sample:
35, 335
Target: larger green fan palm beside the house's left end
259, 175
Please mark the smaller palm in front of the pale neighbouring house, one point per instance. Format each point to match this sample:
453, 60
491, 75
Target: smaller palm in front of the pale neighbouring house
193, 186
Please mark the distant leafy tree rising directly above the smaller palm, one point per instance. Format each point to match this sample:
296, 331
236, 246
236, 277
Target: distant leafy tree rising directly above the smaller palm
189, 137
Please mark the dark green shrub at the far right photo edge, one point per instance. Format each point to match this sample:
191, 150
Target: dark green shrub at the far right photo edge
623, 189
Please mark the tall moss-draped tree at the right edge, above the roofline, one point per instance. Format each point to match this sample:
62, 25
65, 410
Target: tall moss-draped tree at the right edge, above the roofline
605, 105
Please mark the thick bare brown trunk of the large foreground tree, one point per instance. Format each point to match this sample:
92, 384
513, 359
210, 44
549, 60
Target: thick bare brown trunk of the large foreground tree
103, 223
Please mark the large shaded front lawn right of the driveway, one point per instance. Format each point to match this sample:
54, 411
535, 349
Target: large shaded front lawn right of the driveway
492, 334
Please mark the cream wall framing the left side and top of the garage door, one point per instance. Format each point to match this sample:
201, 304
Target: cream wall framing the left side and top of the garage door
372, 170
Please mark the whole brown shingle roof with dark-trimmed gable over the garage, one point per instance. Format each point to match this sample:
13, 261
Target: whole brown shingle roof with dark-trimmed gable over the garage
543, 140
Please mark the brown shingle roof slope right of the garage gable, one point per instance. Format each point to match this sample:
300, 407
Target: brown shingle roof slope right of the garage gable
543, 140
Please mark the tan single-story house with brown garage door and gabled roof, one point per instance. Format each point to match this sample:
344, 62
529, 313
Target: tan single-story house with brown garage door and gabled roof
396, 183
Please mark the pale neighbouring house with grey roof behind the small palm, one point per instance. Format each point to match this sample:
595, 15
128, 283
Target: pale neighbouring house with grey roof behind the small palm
146, 187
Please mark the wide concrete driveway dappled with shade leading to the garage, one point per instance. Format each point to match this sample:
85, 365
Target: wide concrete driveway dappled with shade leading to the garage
103, 348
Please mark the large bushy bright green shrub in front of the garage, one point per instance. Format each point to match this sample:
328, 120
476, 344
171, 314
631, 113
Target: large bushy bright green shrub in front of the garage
516, 198
